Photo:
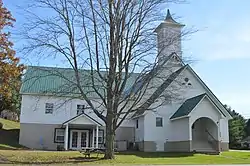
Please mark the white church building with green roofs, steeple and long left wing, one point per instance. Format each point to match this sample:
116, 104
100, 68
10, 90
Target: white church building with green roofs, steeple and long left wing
196, 122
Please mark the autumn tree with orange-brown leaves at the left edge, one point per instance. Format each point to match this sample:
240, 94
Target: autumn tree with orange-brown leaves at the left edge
10, 69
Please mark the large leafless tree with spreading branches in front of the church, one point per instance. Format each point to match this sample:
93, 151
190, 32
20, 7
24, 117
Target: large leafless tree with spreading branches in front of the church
114, 39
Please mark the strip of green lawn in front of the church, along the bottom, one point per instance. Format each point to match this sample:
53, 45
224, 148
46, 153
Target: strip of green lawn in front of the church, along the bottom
42, 157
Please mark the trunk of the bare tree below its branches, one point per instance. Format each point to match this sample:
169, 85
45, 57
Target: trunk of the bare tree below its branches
110, 136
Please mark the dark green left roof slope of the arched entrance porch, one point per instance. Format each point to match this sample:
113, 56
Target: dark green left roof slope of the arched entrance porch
187, 106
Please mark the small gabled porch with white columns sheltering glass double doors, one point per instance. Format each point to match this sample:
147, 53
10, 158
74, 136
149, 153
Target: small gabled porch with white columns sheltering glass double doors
83, 132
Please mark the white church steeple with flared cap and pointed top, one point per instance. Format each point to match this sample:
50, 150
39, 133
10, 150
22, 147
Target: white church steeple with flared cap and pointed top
169, 34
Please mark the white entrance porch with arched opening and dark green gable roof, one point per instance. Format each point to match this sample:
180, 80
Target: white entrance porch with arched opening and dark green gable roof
199, 121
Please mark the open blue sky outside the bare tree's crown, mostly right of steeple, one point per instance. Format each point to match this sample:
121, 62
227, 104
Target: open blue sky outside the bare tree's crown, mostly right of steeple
221, 46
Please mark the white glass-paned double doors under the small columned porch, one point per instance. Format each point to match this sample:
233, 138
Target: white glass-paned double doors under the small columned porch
79, 139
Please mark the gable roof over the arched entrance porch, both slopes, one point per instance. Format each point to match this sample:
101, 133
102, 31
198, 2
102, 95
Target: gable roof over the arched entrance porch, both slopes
188, 106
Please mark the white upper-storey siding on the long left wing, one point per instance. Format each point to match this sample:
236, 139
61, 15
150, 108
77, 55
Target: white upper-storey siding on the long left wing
33, 110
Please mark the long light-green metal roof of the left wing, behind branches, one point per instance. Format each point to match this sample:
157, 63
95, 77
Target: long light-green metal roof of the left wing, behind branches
62, 81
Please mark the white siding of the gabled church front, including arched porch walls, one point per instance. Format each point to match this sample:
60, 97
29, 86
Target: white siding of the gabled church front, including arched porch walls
180, 130
